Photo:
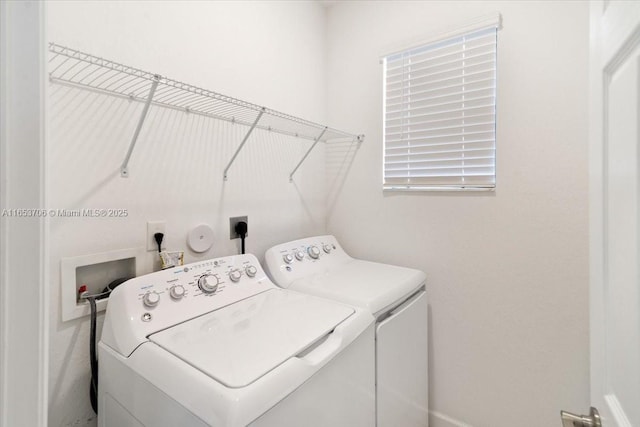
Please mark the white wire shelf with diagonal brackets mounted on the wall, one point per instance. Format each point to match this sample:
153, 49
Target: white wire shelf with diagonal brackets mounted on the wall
78, 69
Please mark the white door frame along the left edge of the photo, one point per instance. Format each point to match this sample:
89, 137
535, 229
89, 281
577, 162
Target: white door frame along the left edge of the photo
24, 299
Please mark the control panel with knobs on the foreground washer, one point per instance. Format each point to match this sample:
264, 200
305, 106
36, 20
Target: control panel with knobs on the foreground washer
156, 301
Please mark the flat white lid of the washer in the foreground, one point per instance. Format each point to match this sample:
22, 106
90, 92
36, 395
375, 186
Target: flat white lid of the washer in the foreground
239, 343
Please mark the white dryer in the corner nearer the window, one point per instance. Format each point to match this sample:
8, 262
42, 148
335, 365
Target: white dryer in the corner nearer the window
394, 295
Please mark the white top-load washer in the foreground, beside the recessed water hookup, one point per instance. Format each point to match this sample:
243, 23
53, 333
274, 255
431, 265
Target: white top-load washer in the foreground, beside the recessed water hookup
216, 343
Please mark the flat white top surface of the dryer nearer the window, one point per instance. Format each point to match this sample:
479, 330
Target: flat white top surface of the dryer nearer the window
372, 285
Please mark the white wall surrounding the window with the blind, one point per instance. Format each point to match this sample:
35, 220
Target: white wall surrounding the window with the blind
507, 271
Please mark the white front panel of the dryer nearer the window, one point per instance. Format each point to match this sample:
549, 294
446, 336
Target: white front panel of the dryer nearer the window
401, 365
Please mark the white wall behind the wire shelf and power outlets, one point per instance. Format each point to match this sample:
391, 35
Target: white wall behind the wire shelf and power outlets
270, 53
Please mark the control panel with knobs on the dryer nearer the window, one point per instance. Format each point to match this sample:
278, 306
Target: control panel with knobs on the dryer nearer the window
304, 258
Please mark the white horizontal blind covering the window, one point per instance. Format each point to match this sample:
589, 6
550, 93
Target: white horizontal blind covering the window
440, 114
